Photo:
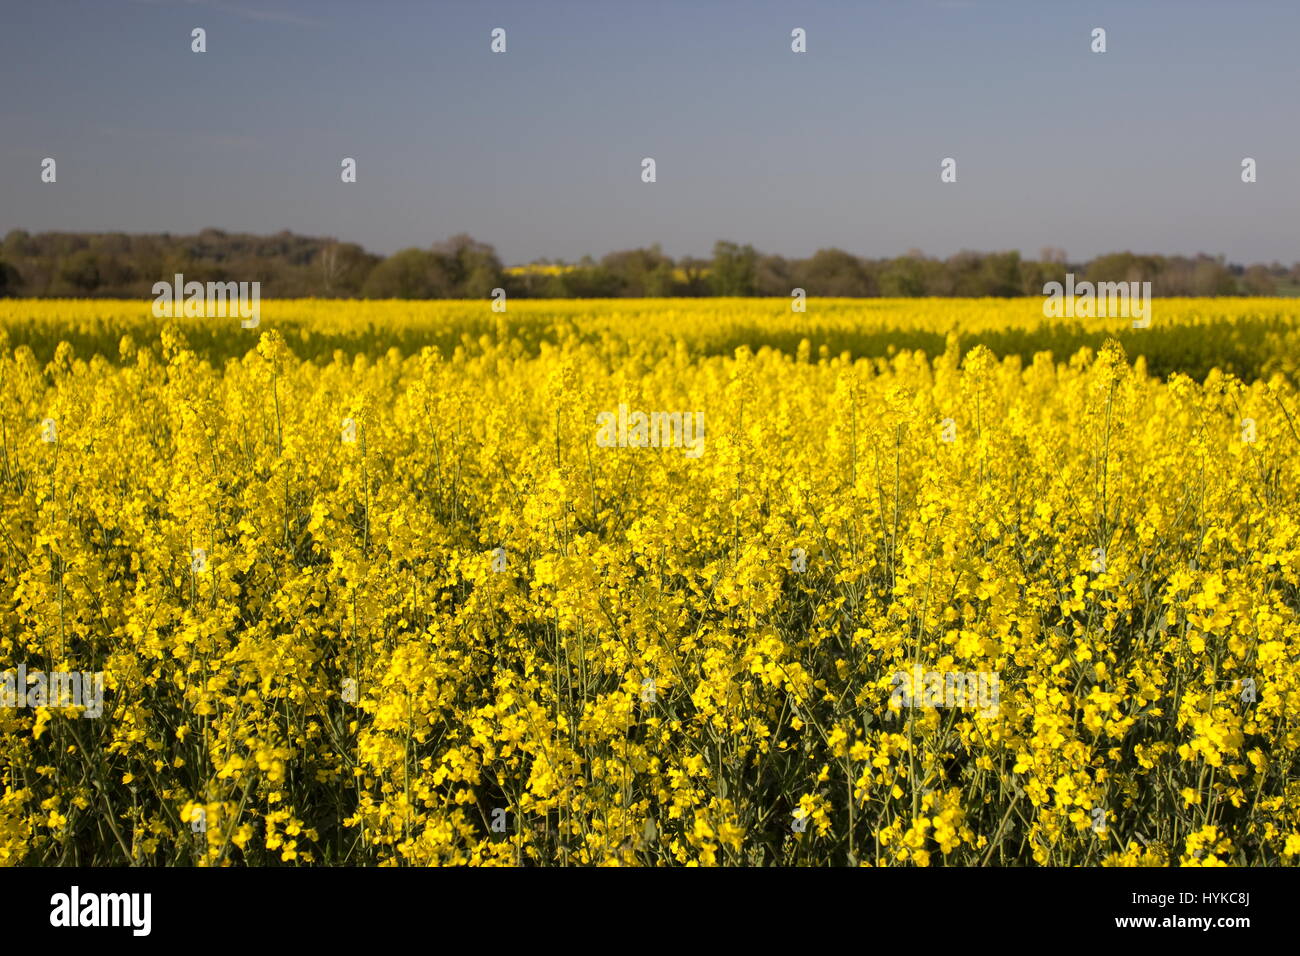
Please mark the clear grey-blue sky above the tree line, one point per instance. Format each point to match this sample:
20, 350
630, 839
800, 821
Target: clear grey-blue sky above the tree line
539, 150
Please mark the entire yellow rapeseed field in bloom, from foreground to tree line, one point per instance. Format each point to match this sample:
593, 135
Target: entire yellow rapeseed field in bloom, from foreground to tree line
366, 589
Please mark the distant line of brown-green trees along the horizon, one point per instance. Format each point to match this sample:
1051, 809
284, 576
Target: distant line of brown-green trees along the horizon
127, 266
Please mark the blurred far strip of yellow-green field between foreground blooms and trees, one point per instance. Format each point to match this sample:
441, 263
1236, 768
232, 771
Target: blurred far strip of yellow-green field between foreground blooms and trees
1247, 338
